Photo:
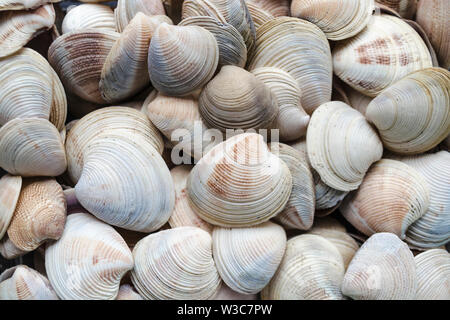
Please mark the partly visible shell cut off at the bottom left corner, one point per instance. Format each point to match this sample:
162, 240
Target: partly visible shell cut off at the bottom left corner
23, 283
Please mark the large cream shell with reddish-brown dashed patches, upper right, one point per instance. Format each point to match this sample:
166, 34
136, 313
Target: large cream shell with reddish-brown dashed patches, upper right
383, 53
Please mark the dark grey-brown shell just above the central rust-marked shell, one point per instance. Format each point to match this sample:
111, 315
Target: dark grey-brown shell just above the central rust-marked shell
237, 99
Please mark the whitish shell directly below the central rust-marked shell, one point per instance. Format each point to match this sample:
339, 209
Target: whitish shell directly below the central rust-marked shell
247, 258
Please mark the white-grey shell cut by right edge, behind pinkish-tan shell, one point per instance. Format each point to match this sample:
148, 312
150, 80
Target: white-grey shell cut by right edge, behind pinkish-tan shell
433, 228
